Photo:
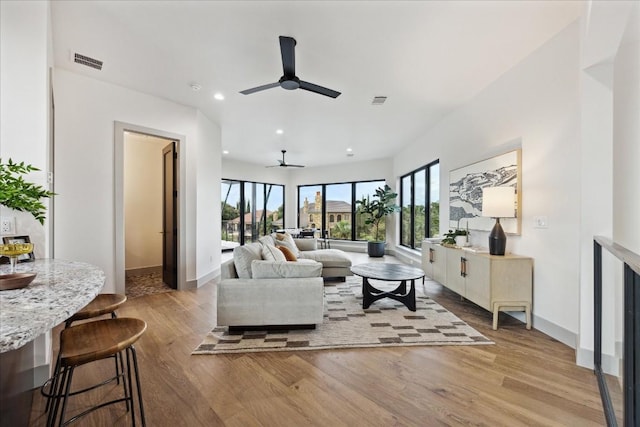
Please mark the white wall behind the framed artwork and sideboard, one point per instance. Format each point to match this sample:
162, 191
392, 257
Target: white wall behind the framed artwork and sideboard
534, 105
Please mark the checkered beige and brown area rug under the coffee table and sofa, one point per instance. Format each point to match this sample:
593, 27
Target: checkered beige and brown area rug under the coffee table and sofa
386, 323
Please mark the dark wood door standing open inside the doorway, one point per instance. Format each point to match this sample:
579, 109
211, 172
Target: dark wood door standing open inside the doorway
169, 217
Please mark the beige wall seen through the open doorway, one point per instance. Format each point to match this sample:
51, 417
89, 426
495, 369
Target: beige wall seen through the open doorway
143, 201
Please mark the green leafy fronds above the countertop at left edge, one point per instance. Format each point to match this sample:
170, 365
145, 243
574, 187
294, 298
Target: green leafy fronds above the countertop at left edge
21, 195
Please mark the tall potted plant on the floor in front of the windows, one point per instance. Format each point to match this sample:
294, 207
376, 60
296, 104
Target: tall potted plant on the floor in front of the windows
376, 210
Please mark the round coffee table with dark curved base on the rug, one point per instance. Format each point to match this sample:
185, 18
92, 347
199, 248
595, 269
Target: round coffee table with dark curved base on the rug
388, 272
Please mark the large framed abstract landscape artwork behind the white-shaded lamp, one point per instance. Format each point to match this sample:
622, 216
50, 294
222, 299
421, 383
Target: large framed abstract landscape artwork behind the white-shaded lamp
465, 192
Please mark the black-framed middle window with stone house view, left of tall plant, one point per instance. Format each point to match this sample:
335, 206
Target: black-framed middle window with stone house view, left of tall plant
332, 208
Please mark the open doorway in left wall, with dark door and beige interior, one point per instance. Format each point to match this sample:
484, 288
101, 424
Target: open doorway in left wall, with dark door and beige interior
147, 229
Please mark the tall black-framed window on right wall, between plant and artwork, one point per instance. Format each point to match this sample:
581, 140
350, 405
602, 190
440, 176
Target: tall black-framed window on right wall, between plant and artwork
420, 203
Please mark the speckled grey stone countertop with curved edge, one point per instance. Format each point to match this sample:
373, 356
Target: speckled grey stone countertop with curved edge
60, 289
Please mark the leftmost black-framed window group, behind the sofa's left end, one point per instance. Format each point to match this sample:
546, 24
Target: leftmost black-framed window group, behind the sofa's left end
250, 210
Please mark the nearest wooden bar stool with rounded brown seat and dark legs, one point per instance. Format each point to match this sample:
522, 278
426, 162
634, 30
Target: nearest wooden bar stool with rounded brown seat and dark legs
90, 342
